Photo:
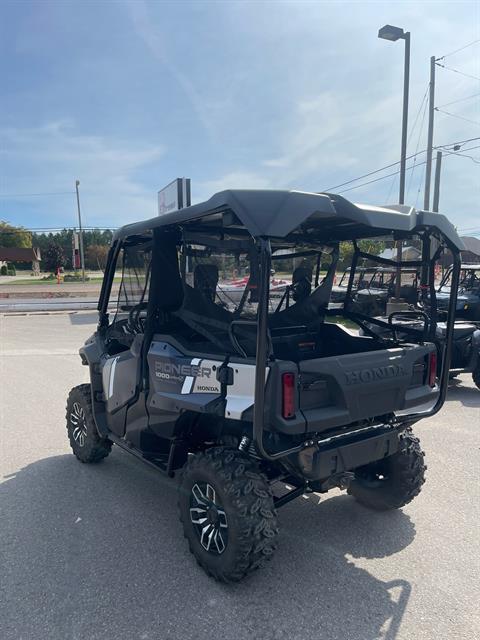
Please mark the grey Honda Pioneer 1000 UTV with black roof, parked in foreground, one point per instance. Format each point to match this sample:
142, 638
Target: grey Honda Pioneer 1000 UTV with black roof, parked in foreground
257, 399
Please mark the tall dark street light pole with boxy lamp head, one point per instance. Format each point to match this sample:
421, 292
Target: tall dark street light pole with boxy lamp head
389, 32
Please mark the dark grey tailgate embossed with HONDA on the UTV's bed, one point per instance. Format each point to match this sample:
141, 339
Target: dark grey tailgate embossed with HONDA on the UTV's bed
343, 389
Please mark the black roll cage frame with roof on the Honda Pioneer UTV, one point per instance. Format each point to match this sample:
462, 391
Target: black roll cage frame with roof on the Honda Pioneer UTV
261, 223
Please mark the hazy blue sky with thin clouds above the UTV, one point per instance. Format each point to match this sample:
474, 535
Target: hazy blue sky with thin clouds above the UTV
126, 96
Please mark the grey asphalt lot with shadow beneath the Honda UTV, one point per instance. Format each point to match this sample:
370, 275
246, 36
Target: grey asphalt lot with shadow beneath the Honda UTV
96, 552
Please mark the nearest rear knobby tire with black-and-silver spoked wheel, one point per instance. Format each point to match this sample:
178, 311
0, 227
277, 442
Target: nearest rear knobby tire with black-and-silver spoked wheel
228, 514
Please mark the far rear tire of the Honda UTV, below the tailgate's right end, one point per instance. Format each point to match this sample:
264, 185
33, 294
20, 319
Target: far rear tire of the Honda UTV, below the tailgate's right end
393, 482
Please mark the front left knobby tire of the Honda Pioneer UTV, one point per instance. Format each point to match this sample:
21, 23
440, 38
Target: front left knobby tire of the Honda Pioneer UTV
86, 444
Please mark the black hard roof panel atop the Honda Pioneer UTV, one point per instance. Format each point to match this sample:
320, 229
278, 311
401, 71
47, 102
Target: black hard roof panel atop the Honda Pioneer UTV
278, 213
